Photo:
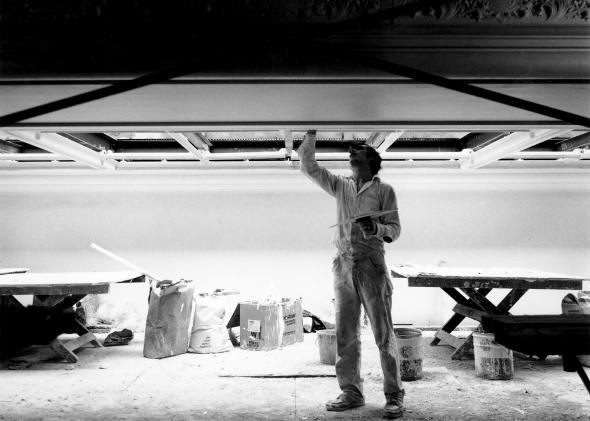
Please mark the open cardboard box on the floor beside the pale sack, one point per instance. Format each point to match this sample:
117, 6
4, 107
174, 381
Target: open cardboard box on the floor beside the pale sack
265, 326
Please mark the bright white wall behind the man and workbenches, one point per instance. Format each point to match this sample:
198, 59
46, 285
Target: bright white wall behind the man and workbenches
256, 230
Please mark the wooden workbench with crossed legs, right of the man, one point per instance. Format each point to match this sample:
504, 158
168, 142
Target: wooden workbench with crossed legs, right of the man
469, 287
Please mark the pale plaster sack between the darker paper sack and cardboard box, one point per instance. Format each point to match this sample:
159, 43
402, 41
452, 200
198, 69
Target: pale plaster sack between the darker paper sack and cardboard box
209, 334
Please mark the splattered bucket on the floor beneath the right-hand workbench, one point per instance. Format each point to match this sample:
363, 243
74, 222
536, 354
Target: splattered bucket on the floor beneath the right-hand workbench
492, 360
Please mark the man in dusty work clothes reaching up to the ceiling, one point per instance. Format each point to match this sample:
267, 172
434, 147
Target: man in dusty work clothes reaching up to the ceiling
360, 273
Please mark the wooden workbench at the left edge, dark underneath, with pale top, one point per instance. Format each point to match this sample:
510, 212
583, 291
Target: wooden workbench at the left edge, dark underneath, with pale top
54, 295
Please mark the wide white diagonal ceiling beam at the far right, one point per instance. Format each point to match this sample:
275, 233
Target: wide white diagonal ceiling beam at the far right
507, 145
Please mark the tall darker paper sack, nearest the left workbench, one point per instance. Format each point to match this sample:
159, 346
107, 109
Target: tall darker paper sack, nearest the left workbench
167, 328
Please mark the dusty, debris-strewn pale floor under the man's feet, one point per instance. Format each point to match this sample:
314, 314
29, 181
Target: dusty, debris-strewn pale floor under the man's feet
118, 383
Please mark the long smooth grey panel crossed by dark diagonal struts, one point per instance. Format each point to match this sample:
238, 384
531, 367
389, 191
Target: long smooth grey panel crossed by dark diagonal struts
286, 106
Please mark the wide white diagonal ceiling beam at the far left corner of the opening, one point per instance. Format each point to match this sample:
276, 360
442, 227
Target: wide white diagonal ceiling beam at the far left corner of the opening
57, 144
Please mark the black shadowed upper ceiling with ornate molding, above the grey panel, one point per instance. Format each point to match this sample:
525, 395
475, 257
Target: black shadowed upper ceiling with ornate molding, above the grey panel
543, 39
